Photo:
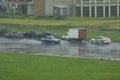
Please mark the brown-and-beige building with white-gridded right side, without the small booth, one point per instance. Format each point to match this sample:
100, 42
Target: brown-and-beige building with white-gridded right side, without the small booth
81, 8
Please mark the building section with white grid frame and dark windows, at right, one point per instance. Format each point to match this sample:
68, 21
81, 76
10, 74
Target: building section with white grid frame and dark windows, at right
97, 8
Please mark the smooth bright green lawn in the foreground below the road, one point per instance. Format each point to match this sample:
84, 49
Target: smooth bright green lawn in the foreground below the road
36, 67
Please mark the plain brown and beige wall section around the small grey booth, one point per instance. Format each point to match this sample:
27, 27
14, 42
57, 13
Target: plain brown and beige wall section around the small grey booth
46, 7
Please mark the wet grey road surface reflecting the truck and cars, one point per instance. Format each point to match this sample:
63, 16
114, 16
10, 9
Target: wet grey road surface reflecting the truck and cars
67, 49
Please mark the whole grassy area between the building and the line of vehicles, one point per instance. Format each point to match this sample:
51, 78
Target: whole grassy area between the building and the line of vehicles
61, 26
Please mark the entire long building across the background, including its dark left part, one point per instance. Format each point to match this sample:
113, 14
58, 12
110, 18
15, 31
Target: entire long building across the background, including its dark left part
80, 8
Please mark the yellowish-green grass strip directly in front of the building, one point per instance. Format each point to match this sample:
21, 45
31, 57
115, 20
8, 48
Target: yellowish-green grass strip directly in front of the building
71, 21
